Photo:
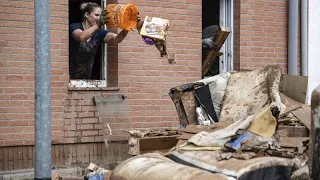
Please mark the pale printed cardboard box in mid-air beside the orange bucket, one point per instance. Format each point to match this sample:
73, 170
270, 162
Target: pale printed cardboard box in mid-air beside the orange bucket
155, 28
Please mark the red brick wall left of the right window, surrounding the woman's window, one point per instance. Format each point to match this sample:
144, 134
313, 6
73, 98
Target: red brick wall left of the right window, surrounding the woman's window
141, 75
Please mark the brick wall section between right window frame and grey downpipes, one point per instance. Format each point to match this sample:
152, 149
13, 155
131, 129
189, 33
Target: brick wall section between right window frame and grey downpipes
260, 34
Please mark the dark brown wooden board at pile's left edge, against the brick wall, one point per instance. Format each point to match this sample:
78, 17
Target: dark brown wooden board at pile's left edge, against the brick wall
159, 143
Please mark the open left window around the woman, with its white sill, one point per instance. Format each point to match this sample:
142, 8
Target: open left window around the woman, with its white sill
99, 70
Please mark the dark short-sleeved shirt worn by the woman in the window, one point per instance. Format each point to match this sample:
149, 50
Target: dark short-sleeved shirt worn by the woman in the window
82, 54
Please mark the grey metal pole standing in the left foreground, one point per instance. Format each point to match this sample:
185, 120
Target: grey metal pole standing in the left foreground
42, 168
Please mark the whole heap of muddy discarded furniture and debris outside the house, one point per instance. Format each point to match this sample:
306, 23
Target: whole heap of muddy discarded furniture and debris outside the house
235, 125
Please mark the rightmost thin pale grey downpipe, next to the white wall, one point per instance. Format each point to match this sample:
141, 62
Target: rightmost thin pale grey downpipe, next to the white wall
304, 37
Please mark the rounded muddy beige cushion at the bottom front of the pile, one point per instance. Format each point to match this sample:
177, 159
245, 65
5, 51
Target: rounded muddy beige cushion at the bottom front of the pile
157, 167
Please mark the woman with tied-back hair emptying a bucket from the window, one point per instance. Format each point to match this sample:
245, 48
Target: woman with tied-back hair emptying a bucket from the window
85, 38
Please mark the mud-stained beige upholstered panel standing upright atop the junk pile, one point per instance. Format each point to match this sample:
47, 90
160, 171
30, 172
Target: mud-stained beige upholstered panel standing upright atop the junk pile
249, 92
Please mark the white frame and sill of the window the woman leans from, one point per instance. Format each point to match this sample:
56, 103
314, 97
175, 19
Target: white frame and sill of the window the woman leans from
83, 83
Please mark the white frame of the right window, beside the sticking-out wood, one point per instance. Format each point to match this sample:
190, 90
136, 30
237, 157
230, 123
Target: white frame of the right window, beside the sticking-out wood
226, 20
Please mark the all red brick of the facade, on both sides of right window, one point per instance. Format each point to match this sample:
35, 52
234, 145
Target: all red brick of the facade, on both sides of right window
139, 71
